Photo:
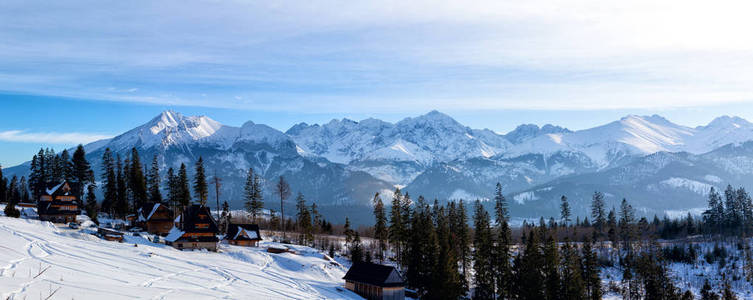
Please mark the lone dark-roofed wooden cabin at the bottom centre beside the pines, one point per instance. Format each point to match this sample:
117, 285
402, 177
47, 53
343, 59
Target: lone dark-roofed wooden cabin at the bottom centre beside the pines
375, 281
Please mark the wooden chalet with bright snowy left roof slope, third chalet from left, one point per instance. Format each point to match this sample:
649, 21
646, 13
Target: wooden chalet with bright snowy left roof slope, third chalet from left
195, 229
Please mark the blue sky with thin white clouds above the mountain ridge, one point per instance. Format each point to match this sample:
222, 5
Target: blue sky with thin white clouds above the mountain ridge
76, 71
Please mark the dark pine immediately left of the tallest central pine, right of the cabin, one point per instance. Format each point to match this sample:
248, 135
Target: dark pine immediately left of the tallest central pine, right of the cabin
482, 254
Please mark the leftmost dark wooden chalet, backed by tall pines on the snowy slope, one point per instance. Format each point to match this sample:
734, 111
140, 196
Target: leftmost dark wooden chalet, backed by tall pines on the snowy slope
58, 204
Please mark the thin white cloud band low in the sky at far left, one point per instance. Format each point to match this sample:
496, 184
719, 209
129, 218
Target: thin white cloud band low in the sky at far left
50, 137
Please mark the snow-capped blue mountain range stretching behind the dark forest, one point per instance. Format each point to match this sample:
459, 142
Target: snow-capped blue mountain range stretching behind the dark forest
341, 164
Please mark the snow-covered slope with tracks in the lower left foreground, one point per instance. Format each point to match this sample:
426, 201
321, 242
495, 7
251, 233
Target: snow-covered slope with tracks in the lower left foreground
40, 258
